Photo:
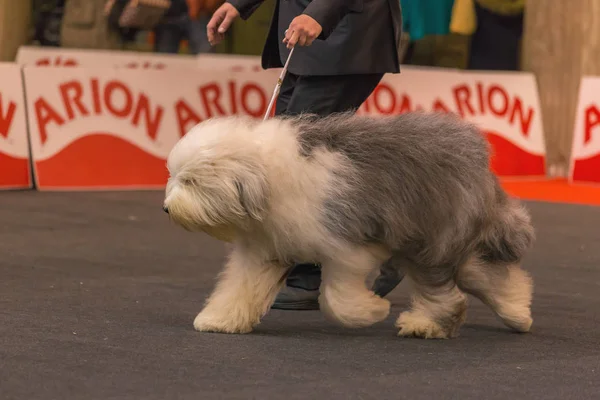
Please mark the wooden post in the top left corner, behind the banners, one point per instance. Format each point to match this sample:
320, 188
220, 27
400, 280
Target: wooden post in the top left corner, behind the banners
15, 24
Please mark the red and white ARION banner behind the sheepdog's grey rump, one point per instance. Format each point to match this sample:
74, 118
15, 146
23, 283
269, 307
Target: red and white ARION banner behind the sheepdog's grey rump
504, 105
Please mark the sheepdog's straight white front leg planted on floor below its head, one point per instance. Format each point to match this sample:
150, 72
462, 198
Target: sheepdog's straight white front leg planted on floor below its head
245, 291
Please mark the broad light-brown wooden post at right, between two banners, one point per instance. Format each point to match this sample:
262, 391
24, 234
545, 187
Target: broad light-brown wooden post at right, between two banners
561, 43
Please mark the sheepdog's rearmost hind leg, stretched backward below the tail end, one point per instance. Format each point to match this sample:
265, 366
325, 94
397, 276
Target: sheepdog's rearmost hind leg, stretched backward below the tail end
505, 288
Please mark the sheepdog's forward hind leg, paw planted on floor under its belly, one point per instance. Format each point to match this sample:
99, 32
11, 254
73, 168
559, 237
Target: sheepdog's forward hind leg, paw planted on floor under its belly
438, 306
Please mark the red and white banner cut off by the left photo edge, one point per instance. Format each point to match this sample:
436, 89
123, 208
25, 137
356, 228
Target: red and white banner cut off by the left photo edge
14, 148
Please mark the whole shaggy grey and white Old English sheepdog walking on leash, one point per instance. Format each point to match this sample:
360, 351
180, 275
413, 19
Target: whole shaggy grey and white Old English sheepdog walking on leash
351, 192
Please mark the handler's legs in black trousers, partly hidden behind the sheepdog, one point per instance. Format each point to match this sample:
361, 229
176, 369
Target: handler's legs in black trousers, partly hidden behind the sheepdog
322, 95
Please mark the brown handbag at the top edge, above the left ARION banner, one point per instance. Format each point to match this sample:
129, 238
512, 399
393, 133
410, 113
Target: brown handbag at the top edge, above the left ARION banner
138, 14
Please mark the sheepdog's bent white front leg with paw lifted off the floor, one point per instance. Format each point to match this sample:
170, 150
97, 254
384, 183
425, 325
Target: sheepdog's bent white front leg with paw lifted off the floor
344, 296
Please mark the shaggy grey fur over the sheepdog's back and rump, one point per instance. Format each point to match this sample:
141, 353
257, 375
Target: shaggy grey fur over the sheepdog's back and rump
421, 184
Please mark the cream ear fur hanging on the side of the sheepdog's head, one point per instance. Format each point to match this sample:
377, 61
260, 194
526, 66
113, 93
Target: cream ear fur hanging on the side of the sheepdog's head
253, 193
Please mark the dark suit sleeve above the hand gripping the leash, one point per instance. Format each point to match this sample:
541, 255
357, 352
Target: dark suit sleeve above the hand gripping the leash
328, 13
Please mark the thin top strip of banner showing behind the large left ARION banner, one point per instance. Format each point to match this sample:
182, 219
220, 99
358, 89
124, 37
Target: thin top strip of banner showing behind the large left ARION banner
65, 57
